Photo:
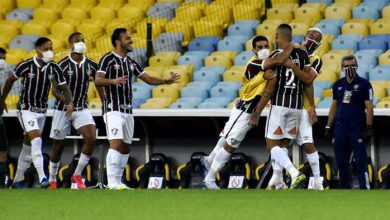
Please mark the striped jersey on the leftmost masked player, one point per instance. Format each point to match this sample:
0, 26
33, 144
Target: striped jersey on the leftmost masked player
36, 83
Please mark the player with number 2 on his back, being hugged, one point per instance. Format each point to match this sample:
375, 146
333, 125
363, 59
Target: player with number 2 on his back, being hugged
286, 107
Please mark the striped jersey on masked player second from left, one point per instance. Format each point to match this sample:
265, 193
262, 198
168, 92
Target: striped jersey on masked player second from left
77, 77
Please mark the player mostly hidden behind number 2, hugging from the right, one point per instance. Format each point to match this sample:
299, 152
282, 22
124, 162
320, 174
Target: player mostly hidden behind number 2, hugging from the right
309, 116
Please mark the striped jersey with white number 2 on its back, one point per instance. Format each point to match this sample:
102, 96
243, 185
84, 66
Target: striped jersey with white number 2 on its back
289, 88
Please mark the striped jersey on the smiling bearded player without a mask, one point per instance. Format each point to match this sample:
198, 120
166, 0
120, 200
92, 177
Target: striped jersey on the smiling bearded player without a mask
118, 98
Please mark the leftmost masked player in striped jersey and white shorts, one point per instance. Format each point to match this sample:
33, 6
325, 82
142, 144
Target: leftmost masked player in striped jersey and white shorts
36, 74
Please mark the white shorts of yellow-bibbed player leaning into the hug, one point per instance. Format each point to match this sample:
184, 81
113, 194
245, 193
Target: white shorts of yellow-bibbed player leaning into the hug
236, 127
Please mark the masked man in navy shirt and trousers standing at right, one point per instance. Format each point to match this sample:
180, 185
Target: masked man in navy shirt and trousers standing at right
352, 112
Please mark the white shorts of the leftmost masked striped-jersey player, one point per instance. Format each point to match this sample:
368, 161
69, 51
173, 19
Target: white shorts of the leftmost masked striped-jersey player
31, 120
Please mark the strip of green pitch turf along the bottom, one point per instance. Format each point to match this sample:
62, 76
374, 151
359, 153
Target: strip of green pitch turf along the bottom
194, 204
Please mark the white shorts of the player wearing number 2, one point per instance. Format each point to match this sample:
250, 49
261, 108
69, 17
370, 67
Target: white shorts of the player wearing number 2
282, 123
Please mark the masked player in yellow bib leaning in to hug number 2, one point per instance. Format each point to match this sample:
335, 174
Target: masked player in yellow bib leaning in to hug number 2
238, 125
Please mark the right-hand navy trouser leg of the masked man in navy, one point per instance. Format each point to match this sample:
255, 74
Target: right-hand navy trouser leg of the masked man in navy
360, 154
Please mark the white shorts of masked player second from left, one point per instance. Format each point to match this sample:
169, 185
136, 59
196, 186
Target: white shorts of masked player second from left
61, 125
